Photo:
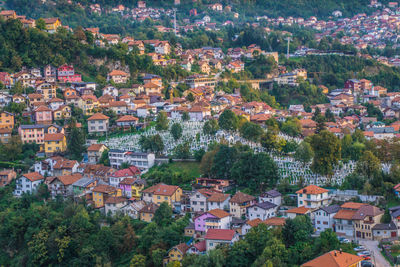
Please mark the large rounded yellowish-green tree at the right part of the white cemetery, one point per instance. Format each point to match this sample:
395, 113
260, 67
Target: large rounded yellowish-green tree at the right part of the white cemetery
326, 147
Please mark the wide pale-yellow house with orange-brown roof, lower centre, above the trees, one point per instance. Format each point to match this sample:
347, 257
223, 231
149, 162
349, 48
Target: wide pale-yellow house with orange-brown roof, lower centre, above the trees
160, 193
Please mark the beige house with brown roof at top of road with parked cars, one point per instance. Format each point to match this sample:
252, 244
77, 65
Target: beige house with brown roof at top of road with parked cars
364, 219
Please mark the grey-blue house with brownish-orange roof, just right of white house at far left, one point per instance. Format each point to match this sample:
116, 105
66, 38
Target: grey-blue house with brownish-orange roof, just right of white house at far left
63, 185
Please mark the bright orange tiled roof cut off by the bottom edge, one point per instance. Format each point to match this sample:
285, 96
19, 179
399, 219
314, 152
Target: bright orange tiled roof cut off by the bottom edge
335, 258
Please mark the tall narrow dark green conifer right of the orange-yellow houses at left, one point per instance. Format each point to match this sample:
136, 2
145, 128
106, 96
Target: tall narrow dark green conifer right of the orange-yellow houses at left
75, 141
